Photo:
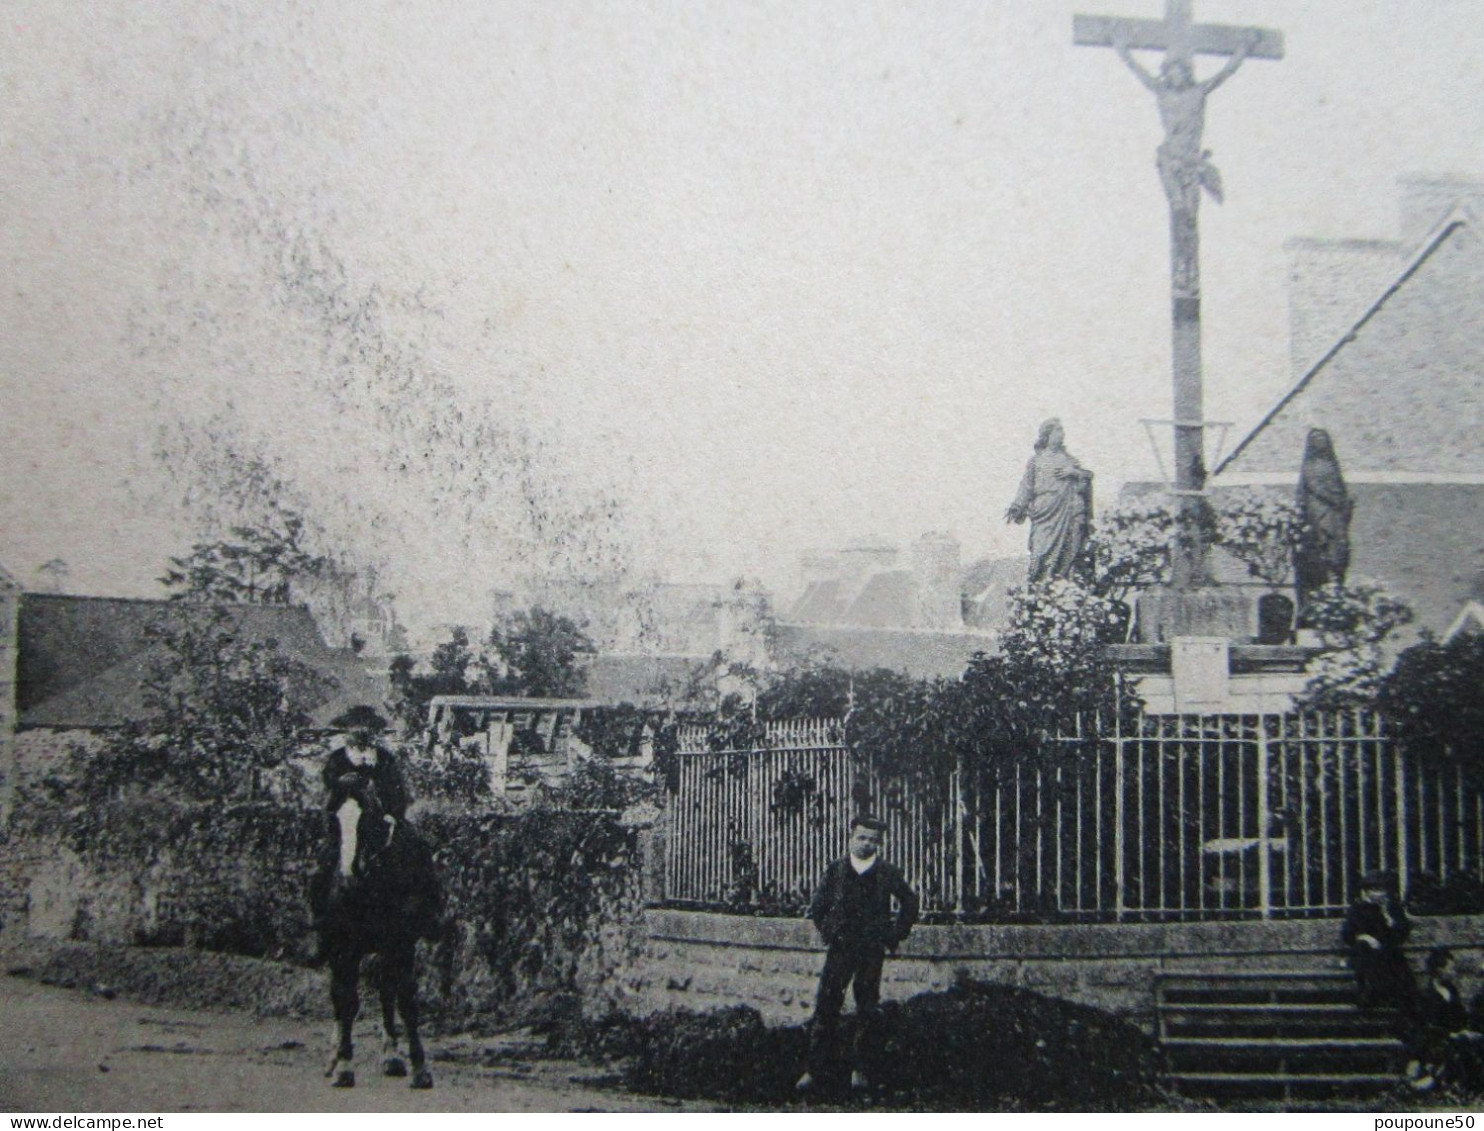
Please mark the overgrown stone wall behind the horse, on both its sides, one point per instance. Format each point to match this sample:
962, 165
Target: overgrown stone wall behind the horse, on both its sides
539, 906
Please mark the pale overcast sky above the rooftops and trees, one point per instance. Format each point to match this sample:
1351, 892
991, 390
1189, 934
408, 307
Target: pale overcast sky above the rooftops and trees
772, 275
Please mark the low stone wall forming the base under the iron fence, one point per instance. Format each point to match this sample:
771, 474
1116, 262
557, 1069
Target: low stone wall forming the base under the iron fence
704, 961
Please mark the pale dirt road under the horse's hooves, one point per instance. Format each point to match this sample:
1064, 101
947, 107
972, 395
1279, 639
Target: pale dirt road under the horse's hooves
72, 1052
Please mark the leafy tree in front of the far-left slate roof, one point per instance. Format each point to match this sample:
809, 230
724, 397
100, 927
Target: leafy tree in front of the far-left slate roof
222, 715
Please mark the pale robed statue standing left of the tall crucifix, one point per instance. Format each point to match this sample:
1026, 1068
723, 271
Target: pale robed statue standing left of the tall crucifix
1056, 495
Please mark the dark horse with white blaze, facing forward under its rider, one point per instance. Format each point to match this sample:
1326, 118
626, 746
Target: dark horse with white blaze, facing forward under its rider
382, 897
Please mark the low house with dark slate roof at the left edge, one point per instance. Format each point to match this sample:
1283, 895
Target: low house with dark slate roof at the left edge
76, 667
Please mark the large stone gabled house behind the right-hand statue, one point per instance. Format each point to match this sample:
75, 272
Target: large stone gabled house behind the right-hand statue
1388, 341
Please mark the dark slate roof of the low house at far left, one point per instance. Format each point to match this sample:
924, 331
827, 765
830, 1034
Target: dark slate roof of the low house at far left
82, 661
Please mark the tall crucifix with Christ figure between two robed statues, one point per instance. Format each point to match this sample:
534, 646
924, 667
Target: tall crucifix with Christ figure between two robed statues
1185, 171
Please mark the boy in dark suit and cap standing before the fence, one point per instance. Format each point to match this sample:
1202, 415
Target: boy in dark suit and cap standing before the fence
853, 909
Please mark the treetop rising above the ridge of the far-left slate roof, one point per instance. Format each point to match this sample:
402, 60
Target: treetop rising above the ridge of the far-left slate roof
255, 565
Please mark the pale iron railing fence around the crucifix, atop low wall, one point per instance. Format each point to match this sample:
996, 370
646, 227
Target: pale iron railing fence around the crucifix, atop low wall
1173, 819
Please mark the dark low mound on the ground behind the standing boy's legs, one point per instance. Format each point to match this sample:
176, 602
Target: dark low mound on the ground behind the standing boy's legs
976, 1047
